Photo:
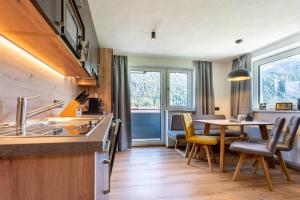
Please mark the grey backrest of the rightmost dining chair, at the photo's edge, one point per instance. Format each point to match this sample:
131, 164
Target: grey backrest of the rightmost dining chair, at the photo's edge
291, 131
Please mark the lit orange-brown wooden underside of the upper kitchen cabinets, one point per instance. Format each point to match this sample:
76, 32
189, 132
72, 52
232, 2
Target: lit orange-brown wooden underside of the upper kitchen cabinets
25, 26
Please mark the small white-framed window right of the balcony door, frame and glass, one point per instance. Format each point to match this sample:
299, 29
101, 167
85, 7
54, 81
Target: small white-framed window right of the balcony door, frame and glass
180, 89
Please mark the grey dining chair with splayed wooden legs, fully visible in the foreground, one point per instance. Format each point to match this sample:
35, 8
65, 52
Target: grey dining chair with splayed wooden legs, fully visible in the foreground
259, 151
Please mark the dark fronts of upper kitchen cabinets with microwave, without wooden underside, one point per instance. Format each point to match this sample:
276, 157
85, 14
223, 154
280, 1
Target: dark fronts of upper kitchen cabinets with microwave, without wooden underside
73, 22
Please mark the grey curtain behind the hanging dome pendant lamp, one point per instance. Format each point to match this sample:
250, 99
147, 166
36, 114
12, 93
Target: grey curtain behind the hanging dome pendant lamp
241, 90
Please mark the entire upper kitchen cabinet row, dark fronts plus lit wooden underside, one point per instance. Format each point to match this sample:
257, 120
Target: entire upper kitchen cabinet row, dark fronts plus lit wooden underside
56, 31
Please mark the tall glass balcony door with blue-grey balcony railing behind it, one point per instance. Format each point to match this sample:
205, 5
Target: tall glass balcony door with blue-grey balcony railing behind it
146, 86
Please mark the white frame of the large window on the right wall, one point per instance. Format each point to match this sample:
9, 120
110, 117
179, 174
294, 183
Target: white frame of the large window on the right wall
257, 76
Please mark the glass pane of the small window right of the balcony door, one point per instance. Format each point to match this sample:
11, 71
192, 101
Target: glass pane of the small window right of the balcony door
178, 89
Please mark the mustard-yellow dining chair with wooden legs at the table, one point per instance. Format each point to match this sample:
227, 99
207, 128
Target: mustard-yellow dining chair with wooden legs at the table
197, 141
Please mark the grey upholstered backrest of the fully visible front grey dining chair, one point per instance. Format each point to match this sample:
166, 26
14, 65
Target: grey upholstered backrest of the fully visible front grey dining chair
275, 132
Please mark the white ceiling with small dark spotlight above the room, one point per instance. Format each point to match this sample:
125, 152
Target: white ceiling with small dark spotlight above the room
196, 29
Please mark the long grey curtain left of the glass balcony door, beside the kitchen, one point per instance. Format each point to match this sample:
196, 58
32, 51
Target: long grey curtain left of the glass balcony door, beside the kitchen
121, 100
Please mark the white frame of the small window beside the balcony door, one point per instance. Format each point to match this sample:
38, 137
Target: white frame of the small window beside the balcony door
191, 89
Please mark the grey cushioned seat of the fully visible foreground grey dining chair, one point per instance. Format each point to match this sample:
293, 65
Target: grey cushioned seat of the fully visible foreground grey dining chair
250, 148
